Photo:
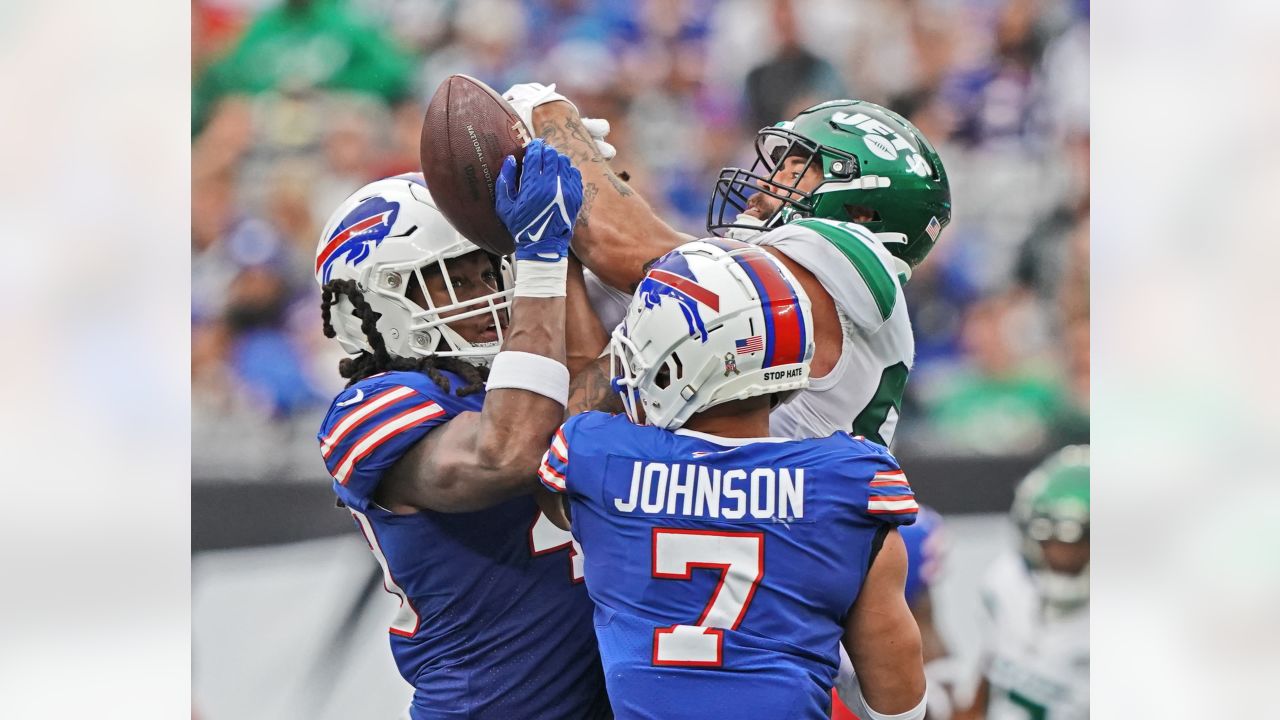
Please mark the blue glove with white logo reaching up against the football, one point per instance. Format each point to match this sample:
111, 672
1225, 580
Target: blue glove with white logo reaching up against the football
541, 212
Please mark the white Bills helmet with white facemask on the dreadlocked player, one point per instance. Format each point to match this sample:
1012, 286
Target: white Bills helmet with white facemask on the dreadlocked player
383, 238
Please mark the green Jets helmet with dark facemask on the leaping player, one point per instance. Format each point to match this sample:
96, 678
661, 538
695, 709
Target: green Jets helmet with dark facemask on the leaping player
875, 165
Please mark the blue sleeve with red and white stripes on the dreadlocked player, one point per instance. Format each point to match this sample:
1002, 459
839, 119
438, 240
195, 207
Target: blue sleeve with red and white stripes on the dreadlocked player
367, 431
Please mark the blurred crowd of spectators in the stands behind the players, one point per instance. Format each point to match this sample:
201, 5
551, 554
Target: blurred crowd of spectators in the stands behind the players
298, 103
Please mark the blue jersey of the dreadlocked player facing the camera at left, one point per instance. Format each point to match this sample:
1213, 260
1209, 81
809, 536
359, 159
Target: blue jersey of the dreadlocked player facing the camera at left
495, 622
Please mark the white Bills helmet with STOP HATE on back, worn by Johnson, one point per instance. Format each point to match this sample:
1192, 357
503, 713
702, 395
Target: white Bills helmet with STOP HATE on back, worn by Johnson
725, 320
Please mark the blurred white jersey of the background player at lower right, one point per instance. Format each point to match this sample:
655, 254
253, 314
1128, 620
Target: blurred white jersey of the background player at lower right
1037, 664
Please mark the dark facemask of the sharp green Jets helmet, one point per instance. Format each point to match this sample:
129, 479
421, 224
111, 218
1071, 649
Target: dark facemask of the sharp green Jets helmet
726, 215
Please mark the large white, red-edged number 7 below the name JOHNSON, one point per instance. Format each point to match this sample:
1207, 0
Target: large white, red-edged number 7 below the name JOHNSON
740, 560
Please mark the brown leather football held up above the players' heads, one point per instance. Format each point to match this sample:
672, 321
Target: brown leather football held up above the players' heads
468, 133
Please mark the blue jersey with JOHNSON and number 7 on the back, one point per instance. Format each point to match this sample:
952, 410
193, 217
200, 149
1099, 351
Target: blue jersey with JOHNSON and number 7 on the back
723, 571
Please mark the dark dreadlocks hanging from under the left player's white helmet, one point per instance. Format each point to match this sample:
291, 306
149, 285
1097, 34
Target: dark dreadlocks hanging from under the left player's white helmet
367, 364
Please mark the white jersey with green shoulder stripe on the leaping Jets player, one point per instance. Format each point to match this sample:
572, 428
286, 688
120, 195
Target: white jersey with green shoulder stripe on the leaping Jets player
863, 394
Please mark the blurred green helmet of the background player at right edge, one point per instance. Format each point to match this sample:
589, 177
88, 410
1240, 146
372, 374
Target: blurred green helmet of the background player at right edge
1053, 504
